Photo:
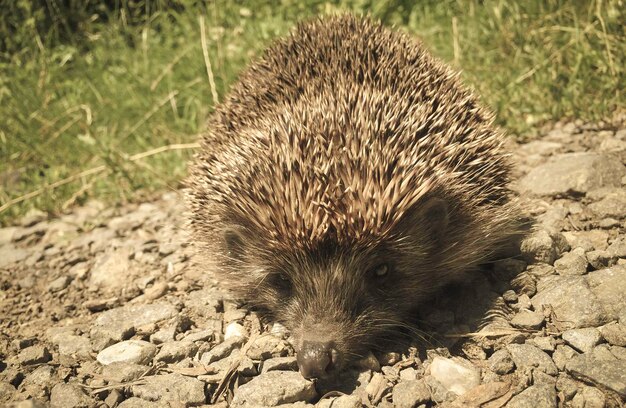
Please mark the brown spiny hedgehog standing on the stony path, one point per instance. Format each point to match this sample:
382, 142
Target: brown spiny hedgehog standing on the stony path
347, 177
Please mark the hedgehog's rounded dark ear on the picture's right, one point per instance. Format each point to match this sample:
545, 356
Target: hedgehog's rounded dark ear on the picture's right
427, 219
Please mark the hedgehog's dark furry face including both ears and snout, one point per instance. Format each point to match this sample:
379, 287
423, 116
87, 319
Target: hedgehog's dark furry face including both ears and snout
340, 301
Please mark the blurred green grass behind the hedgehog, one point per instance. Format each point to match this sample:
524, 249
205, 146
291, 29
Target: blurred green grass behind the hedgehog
88, 84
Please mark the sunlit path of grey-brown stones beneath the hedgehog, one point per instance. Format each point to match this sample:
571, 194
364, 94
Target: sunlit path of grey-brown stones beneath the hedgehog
106, 307
